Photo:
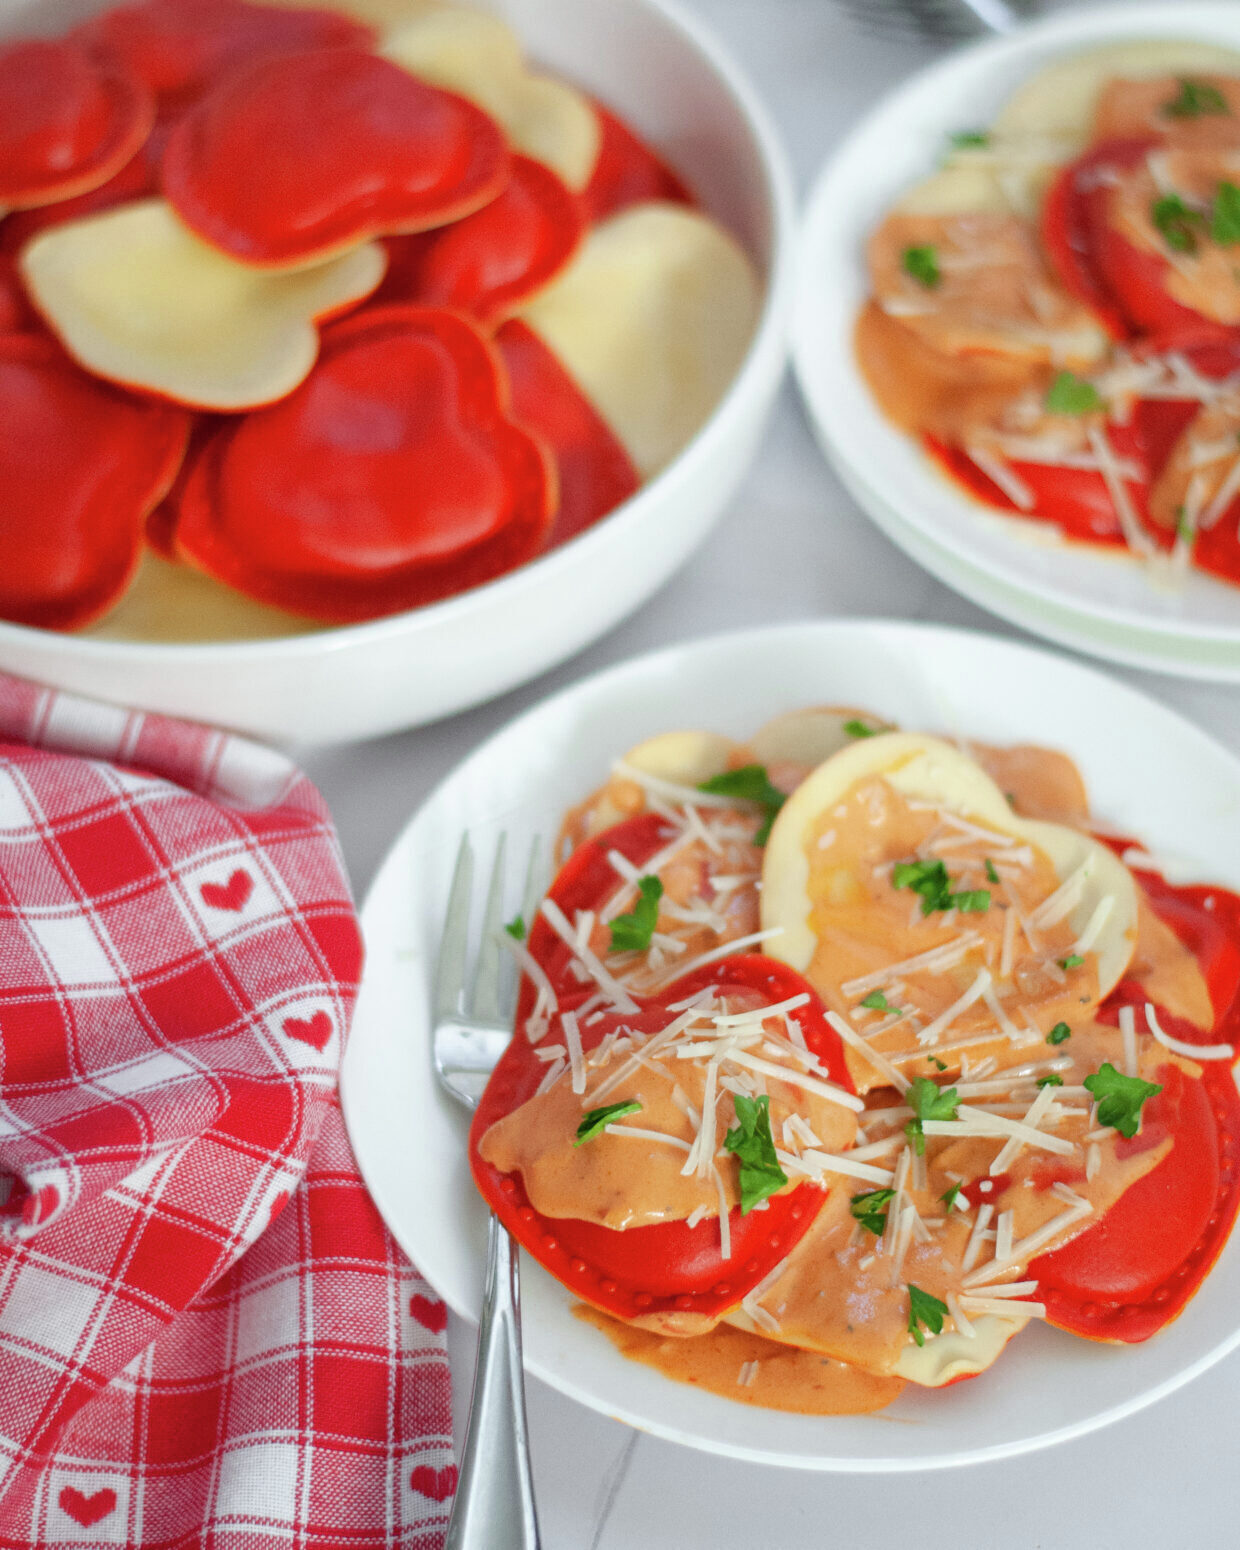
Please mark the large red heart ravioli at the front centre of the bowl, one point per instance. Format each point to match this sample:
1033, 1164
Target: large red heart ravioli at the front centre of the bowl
391, 478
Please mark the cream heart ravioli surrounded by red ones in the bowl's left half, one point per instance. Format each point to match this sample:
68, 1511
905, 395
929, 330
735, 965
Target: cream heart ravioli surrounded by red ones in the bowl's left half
137, 298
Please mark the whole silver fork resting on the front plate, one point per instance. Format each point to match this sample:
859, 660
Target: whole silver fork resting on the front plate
495, 1507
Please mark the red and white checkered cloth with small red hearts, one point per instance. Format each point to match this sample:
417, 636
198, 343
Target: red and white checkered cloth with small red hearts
207, 1334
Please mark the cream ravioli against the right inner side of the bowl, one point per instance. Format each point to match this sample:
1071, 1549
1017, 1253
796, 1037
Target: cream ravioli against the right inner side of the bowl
653, 320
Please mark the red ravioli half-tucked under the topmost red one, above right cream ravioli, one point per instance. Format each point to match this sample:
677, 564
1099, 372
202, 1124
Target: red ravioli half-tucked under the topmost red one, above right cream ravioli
492, 261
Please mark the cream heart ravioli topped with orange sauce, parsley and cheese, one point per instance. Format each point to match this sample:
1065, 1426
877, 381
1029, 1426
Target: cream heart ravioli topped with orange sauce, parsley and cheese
931, 918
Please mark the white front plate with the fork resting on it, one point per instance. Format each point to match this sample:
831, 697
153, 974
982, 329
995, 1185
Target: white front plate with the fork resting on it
1149, 773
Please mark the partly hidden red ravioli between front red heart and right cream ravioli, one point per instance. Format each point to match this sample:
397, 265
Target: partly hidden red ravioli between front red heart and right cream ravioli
596, 472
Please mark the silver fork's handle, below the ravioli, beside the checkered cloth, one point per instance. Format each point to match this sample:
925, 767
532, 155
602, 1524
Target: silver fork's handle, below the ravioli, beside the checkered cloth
494, 1507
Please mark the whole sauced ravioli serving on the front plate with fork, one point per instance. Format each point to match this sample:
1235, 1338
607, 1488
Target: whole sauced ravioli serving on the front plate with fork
846, 1053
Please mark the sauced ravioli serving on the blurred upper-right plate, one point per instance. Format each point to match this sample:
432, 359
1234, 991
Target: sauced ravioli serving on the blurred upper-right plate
1055, 314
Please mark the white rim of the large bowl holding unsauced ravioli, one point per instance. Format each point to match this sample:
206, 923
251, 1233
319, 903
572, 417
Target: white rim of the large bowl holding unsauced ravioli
770, 340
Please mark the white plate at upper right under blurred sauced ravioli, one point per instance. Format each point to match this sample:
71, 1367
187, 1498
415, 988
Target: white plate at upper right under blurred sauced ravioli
894, 148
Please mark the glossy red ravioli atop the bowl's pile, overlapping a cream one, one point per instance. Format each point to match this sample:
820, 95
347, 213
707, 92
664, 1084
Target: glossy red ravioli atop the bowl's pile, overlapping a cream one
308, 154
